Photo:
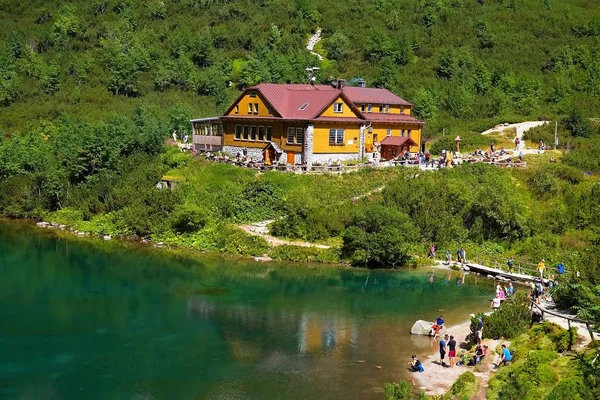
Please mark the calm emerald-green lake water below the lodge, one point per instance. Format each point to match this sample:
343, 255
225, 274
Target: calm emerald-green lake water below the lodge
95, 320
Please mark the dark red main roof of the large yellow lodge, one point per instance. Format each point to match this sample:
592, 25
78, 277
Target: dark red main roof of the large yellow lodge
307, 102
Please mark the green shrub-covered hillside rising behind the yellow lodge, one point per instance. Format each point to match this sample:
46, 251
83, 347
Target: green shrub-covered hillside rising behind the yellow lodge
465, 64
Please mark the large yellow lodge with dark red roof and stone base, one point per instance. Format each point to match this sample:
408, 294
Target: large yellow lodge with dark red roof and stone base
308, 124
